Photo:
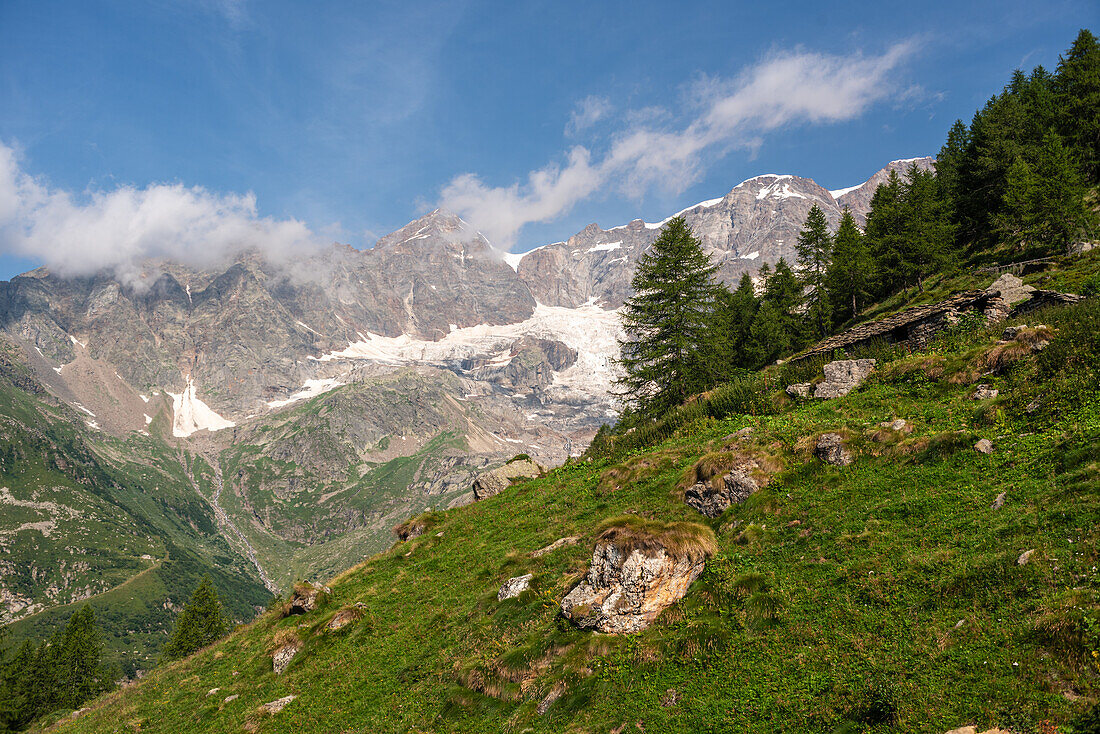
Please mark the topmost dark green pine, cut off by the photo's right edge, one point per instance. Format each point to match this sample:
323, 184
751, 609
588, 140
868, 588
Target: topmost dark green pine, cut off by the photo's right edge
1077, 90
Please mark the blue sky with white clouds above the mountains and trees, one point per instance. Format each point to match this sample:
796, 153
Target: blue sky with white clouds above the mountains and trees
351, 119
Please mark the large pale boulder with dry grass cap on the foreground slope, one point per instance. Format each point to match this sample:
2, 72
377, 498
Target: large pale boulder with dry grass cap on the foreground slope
636, 573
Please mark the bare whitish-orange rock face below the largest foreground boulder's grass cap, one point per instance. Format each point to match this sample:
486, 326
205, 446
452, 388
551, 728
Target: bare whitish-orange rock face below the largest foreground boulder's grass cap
625, 593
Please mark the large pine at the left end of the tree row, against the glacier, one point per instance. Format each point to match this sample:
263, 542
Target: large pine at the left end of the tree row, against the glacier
665, 354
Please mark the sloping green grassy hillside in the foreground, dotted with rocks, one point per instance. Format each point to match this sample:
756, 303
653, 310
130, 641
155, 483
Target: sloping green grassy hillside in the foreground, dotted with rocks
885, 596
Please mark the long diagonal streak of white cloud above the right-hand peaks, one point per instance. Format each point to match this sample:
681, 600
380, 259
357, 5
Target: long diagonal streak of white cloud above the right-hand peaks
783, 90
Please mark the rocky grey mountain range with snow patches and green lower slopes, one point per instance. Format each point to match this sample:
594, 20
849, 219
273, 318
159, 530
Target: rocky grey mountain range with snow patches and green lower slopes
274, 423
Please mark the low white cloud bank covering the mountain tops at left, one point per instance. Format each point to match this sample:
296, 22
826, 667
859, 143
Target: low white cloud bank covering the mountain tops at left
116, 231
